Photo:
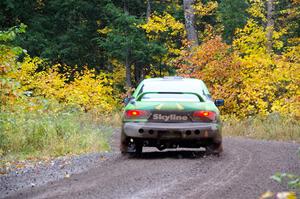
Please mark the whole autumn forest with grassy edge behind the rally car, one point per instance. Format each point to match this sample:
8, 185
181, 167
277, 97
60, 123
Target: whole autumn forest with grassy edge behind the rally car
66, 65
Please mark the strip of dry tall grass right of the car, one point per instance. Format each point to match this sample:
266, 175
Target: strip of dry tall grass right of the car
272, 127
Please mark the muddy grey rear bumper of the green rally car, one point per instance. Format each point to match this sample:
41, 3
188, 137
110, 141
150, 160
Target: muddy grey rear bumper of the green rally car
191, 130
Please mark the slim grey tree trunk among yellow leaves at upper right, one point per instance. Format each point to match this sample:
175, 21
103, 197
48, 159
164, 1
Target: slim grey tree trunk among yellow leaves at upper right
270, 24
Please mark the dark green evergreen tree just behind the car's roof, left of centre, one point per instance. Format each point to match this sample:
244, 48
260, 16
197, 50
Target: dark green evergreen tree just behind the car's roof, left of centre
126, 42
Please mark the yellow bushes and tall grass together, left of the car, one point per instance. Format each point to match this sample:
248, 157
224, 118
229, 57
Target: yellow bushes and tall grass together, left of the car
44, 113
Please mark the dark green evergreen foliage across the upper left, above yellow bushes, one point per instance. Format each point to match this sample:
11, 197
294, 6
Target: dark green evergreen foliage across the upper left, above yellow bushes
67, 32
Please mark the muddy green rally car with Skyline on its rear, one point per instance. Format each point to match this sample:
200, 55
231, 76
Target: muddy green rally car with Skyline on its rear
171, 112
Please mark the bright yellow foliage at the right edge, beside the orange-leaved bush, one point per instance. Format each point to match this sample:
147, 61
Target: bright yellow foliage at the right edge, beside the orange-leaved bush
271, 82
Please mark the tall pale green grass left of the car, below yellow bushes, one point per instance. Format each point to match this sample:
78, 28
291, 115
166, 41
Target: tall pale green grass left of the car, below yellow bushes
38, 134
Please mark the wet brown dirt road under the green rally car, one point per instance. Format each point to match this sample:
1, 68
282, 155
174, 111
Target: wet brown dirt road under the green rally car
242, 171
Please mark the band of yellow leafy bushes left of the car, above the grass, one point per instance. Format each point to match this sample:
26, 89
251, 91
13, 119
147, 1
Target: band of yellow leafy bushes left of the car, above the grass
86, 90
